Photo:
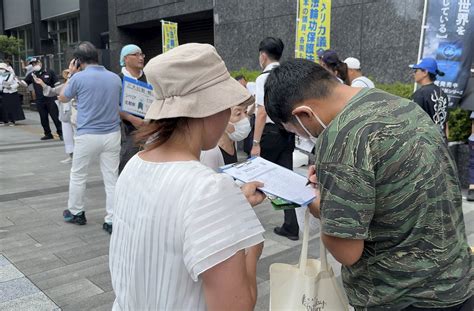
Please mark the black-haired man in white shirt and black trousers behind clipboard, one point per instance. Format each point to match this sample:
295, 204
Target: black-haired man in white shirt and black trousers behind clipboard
270, 141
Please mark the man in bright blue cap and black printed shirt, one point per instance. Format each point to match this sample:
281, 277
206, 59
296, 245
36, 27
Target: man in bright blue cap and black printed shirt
429, 96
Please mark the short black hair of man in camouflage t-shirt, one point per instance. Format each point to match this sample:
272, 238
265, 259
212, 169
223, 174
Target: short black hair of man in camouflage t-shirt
293, 82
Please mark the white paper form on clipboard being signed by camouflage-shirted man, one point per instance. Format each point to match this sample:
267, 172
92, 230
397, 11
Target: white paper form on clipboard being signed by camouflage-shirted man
278, 181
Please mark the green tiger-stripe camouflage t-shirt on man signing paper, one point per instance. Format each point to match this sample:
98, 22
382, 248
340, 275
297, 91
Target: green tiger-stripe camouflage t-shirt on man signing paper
386, 177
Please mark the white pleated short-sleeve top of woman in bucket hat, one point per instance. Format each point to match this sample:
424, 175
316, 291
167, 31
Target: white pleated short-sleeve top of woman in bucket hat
172, 222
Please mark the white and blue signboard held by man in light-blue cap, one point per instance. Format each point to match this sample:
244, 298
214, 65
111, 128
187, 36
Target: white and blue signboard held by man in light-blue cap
137, 96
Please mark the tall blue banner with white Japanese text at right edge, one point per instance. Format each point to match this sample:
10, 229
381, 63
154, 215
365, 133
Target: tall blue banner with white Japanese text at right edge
449, 38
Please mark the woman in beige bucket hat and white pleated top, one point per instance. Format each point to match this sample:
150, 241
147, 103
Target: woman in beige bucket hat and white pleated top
185, 237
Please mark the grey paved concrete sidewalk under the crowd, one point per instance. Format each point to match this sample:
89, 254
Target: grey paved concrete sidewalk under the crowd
47, 264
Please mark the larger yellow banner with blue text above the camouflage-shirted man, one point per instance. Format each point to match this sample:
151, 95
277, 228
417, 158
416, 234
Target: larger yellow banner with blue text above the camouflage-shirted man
313, 28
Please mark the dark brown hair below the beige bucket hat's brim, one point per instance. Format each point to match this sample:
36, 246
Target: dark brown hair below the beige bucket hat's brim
157, 132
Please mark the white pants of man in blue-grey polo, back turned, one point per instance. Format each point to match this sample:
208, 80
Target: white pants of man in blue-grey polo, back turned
86, 148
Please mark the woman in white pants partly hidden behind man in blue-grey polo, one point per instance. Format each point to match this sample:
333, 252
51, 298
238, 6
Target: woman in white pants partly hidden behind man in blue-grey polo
65, 113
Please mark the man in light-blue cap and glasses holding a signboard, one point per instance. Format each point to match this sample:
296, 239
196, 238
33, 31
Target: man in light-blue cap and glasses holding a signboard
132, 61
